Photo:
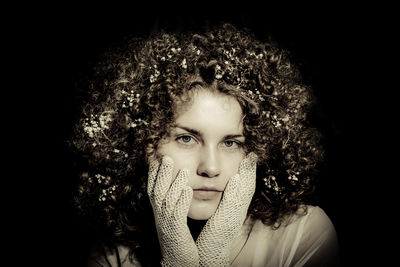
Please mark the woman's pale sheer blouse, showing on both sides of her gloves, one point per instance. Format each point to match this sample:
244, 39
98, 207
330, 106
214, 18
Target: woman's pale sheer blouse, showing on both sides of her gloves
302, 240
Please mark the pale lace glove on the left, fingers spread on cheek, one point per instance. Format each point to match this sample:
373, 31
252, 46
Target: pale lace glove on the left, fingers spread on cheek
170, 207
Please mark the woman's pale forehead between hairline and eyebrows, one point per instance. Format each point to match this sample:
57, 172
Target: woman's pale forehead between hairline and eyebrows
211, 111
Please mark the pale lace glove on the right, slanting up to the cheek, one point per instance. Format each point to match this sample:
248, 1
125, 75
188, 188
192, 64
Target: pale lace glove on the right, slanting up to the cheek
214, 241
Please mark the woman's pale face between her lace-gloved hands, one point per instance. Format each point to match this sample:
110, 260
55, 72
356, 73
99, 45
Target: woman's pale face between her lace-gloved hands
207, 140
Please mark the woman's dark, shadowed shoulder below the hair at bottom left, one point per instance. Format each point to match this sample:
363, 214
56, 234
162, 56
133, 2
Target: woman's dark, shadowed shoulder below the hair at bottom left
118, 256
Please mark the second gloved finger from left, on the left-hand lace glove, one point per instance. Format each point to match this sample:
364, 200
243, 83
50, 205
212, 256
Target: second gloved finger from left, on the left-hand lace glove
163, 180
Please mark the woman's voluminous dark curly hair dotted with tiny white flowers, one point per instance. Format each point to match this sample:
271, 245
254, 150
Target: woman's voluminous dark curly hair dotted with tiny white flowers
130, 107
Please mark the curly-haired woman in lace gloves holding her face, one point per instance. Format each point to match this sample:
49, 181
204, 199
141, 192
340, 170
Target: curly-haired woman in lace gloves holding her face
197, 152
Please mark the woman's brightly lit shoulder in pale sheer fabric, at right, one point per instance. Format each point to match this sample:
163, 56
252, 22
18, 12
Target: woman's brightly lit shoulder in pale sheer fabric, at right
307, 238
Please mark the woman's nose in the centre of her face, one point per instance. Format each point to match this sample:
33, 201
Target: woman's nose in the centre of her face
208, 163
